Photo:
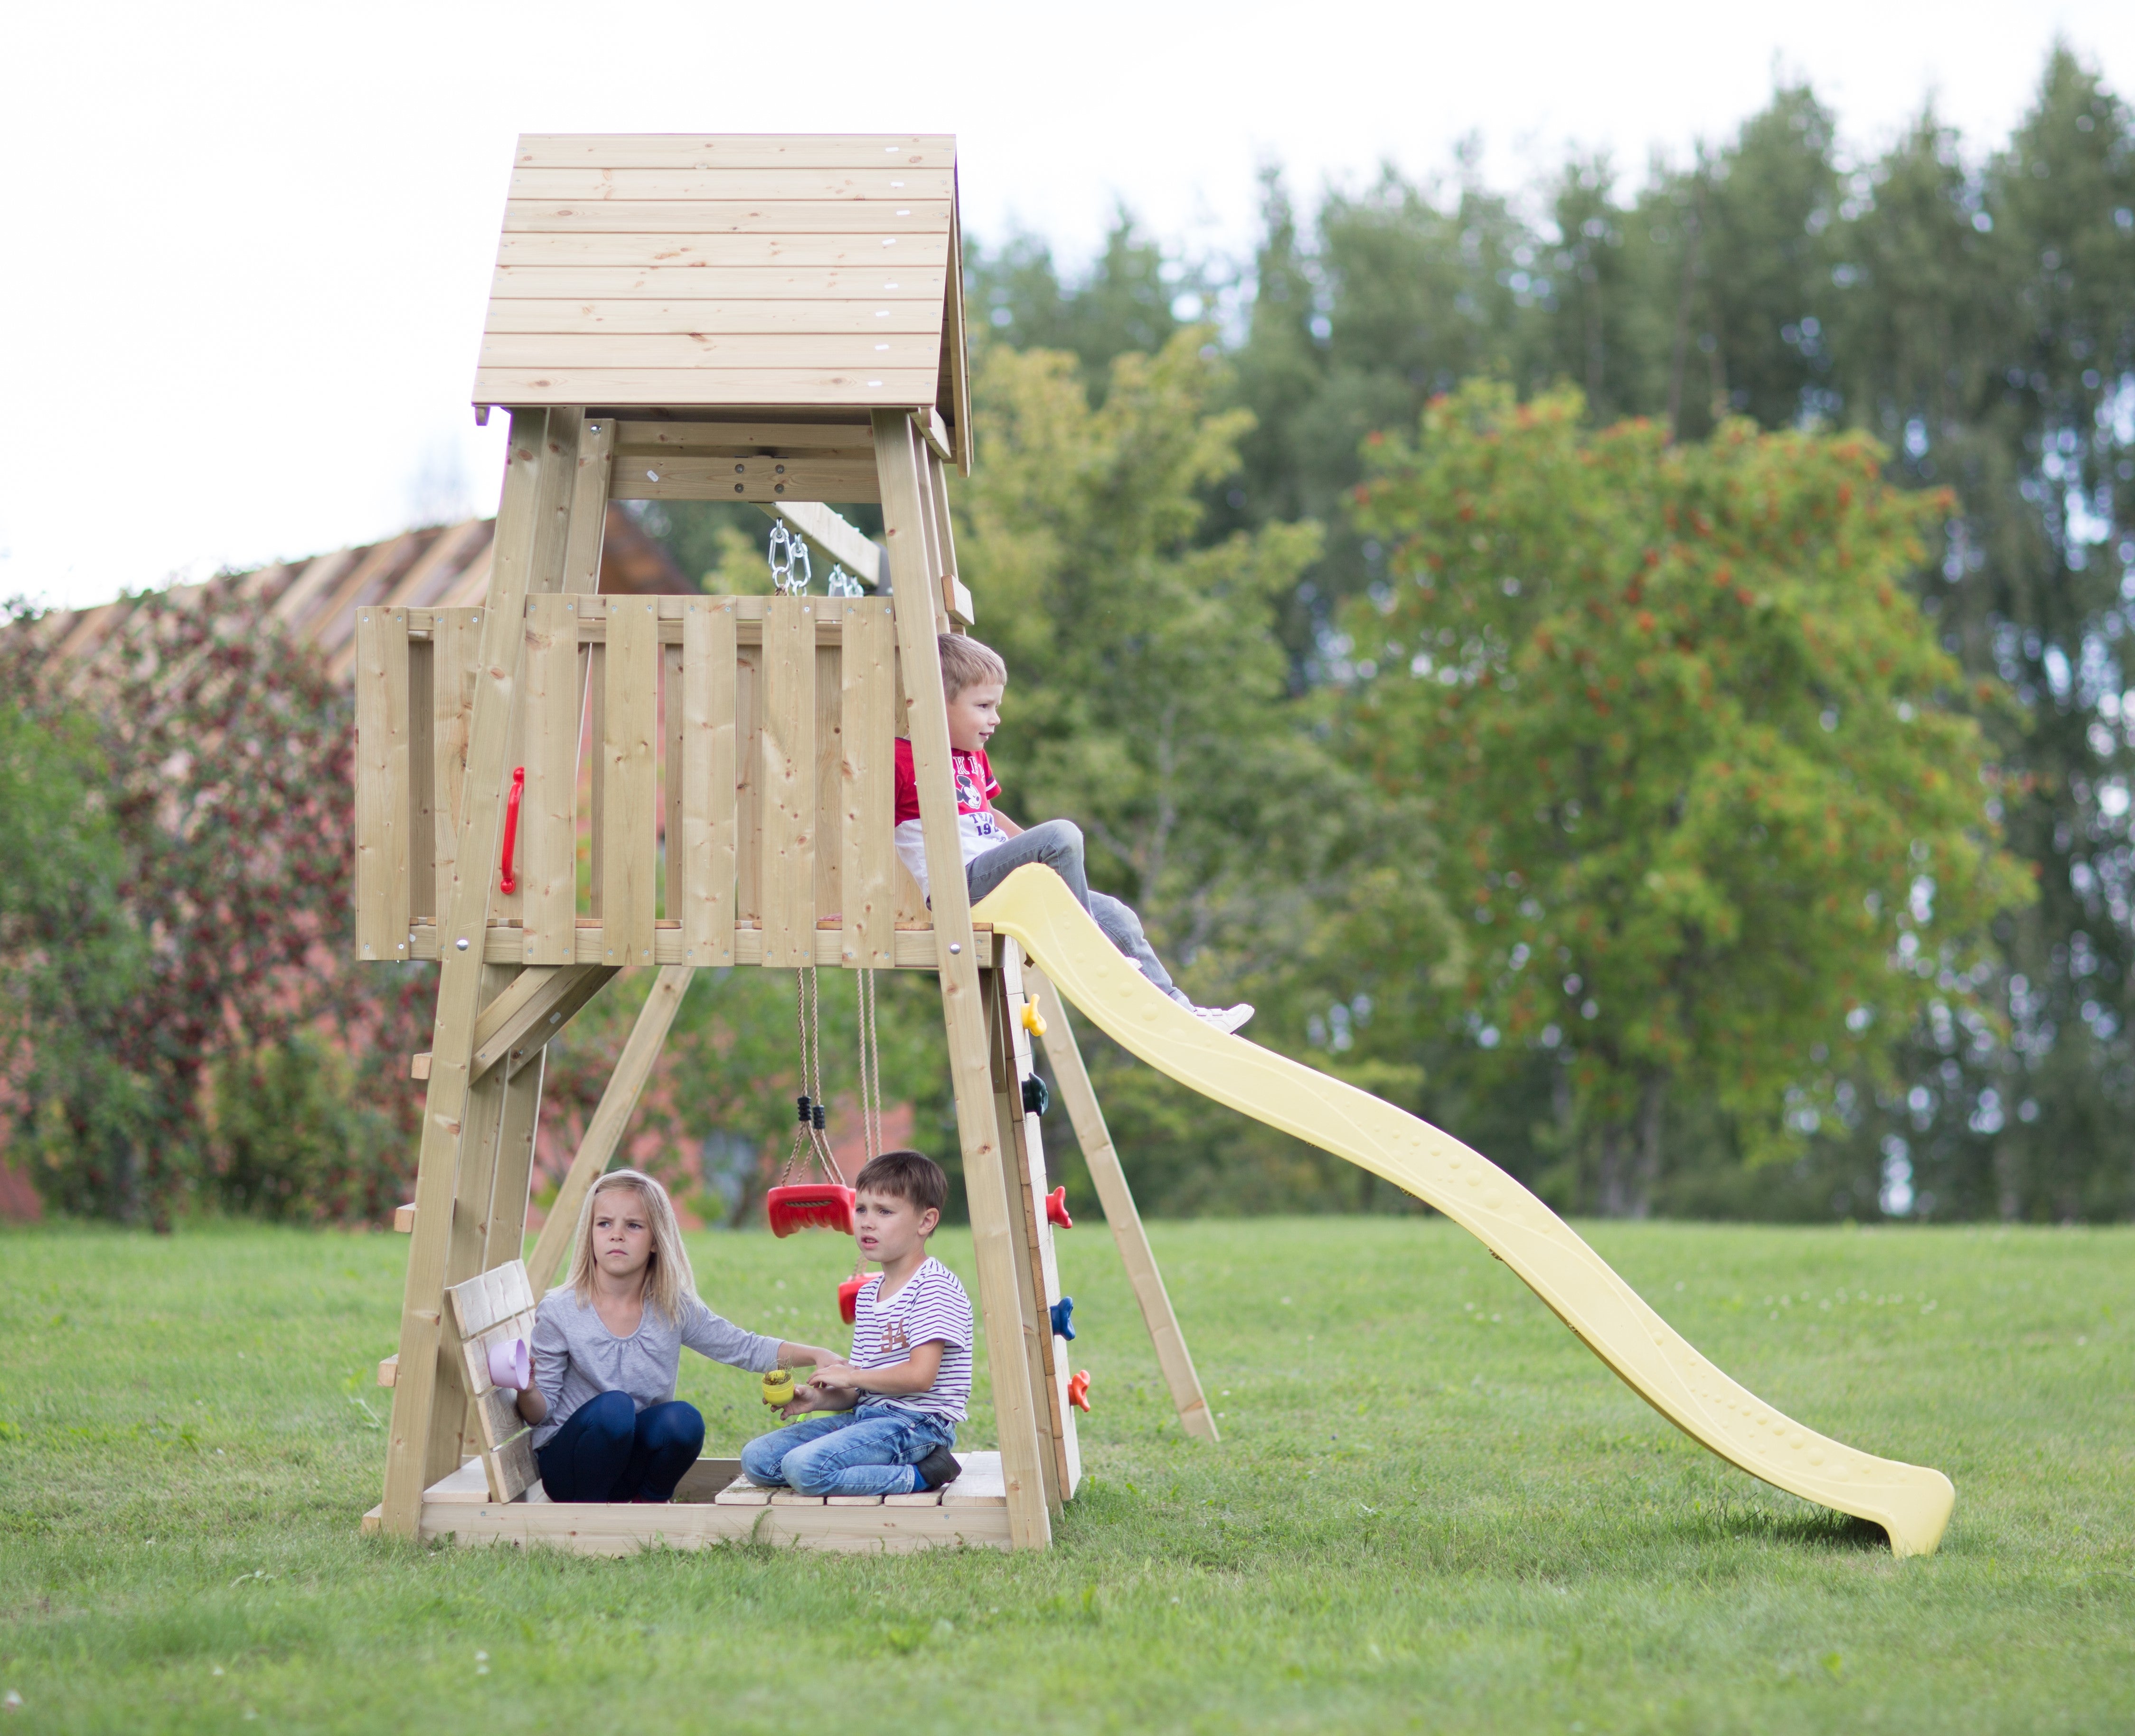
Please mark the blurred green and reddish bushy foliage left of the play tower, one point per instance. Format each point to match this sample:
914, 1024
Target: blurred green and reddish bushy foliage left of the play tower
193, 789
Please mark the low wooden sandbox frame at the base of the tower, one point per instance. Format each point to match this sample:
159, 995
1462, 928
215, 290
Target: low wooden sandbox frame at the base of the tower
716, 1504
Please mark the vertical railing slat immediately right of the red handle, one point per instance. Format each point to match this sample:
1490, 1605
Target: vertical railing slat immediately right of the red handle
550, 812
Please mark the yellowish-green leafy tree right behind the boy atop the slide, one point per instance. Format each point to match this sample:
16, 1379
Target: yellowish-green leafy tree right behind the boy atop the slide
1150, 704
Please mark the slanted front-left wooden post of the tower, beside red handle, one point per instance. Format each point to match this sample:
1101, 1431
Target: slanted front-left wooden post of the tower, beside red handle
528, 554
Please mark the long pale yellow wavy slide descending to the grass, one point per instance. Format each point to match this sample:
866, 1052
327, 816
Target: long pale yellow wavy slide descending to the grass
1039, 913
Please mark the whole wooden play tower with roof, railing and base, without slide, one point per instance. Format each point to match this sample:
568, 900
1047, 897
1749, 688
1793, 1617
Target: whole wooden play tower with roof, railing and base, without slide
776, 321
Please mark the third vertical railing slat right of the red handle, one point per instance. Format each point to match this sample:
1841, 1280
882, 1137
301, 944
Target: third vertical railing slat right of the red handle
708, 793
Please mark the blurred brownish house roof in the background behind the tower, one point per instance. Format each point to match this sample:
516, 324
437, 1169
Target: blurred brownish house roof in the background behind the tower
441, 567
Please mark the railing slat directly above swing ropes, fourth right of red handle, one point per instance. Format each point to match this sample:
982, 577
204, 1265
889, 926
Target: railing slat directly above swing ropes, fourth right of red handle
789, 785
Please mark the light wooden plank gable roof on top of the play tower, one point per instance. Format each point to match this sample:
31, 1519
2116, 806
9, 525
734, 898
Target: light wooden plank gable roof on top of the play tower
731, 272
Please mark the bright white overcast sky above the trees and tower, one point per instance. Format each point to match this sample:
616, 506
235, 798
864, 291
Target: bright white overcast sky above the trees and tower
251, 244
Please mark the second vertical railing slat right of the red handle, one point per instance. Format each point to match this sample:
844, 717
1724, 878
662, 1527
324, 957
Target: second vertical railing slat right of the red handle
629, 742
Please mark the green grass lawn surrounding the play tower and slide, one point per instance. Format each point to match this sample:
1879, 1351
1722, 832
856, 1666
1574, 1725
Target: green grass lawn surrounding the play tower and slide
1432, 1511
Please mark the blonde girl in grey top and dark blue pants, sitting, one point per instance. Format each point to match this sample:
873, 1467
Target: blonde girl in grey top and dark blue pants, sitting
607, 1348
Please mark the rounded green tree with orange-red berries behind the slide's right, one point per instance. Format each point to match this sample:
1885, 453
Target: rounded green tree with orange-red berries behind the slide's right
1720, 812
